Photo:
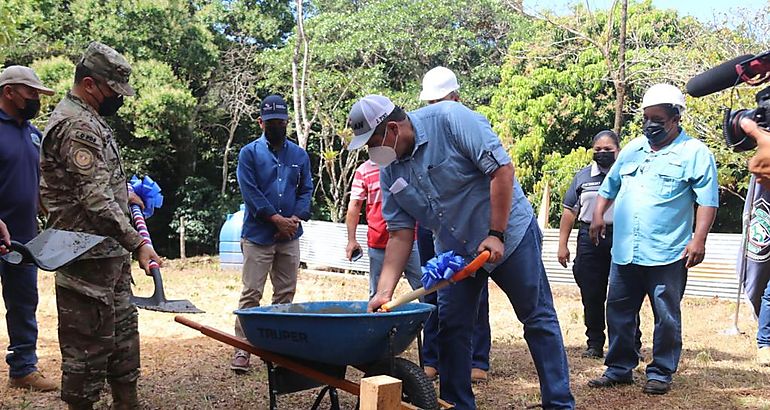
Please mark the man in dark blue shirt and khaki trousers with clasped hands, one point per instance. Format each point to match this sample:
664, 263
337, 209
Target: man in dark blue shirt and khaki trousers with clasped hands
274, 177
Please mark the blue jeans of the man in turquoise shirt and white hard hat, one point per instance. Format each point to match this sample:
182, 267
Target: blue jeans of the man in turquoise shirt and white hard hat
629, 284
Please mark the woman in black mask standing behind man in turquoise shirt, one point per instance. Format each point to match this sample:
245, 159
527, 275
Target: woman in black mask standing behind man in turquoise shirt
592, 263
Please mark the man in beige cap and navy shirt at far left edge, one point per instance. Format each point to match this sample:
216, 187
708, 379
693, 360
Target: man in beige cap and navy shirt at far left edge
20, 90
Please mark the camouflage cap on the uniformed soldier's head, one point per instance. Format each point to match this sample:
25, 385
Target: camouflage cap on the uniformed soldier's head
110, 65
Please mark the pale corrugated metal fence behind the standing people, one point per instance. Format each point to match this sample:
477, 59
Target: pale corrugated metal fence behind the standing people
323, 244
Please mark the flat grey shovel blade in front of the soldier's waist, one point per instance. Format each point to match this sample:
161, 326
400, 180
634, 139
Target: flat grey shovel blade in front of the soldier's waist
52, 249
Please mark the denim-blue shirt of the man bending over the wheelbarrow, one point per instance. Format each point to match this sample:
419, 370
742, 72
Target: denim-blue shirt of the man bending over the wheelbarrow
444, 183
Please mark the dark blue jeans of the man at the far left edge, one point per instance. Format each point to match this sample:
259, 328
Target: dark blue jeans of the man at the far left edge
20, 296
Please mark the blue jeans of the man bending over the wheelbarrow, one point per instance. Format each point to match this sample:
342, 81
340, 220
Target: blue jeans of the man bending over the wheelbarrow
522, 278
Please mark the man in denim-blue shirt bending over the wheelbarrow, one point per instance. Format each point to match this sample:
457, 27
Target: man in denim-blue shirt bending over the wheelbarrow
444, 167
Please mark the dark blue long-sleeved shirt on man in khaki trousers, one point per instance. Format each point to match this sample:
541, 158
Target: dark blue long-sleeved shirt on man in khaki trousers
273, 183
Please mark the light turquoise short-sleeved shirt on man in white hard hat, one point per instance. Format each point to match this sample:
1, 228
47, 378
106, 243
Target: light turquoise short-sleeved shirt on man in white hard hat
655, 193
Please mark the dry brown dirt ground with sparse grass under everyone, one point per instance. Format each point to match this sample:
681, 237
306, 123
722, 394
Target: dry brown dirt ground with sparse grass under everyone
182, 369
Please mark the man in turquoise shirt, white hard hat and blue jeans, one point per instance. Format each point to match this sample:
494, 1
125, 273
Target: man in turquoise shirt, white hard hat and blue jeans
655, 184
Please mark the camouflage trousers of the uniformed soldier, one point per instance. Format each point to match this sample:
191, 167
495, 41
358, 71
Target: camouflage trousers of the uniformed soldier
98, 333
